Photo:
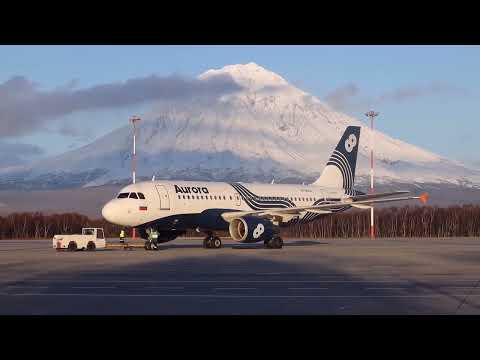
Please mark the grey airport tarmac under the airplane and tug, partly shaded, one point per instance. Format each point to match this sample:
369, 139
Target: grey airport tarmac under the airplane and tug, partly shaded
325, 276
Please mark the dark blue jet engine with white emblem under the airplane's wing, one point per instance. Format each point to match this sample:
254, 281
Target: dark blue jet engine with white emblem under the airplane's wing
251, 229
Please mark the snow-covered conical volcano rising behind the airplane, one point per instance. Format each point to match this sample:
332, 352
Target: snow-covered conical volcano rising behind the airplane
268, 130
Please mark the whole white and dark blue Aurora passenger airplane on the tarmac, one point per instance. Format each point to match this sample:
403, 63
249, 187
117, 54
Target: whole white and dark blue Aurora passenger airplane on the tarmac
250, 212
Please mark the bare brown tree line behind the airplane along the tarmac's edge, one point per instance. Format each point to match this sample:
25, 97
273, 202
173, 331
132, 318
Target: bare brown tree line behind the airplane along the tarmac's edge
425, 221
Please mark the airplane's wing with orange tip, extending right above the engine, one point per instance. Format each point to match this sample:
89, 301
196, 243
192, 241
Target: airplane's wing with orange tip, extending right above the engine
288, 213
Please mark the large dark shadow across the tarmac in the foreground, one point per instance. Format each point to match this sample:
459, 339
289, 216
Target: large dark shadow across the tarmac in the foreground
210, 285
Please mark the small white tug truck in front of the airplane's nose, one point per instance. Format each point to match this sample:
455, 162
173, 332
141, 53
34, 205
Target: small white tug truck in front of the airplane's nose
90, 240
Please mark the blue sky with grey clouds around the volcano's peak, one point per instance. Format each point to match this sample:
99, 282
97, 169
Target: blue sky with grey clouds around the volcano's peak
56, 98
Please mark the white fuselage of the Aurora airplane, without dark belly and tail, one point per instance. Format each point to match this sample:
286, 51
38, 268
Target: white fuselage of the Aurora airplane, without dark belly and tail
164, 199
